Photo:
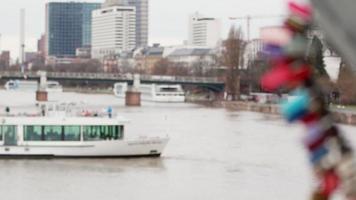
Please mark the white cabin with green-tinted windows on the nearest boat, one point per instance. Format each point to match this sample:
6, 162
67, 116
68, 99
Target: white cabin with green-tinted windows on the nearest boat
39, 130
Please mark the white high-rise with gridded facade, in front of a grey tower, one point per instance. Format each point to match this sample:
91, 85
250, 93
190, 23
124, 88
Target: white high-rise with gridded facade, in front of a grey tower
113, 31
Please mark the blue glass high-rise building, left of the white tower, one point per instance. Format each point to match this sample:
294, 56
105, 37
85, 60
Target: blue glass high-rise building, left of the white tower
68, 27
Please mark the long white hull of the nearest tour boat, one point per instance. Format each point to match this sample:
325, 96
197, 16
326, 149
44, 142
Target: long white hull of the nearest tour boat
99, 149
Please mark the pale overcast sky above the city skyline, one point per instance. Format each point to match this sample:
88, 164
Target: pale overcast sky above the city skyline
168, 18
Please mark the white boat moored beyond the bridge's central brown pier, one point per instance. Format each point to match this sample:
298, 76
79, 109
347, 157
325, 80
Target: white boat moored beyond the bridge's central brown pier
154, 92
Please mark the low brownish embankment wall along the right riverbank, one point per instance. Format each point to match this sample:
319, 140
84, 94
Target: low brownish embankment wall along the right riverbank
342, 117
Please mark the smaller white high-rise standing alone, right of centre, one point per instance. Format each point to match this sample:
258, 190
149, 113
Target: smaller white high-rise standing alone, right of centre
204, 31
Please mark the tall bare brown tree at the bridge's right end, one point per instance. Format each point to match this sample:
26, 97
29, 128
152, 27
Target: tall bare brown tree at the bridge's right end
233, 50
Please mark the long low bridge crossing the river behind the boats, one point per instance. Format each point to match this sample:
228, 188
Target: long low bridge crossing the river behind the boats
213, 84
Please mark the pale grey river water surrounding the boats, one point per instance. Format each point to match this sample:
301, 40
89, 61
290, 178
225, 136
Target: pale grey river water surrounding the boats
213, 154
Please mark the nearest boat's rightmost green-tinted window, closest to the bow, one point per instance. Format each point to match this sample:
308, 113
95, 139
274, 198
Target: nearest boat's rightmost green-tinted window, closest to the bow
96, 133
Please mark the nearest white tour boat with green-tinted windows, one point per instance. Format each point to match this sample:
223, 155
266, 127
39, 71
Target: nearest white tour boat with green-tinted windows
72, 137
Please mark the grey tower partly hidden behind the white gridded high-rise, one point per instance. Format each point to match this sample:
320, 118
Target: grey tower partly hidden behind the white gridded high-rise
141, 18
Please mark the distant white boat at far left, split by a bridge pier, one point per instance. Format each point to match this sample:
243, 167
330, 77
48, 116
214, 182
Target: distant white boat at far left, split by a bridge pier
25, 85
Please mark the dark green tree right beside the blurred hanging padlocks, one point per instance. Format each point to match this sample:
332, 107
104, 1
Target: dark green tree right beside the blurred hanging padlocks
316, 57
